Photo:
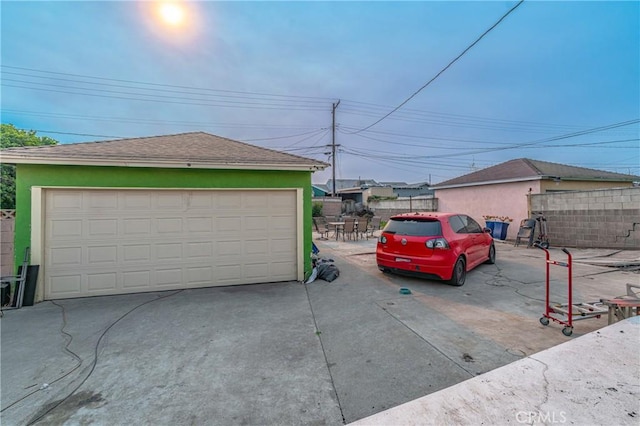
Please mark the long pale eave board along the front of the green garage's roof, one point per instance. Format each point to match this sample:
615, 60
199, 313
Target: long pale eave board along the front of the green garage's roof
185, 164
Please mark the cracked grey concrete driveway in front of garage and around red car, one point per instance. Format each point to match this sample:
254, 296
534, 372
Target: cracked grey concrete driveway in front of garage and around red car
286, 353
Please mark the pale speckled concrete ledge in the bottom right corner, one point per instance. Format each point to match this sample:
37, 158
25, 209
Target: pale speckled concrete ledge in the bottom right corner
593, 379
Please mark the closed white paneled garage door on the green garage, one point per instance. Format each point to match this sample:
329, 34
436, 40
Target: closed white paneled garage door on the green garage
100, 242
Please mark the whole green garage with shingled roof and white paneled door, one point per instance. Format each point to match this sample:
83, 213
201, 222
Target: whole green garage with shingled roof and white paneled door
161, 213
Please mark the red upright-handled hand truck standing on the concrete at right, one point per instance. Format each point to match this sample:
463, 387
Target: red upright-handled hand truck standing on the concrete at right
573, 311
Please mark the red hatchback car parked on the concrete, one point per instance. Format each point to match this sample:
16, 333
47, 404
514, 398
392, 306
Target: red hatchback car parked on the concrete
443, 246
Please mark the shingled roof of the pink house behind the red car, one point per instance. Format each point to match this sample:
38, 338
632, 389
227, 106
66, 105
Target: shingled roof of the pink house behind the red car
523, 169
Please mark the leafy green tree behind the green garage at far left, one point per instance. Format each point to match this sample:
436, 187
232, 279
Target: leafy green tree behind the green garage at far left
11, 137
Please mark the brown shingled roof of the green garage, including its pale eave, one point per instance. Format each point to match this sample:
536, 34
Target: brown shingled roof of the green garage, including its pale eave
195, 150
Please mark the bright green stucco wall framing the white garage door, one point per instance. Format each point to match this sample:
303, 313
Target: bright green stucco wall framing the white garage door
29, 175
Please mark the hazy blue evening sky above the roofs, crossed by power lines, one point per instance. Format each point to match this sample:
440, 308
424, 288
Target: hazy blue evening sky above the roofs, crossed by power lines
267, 73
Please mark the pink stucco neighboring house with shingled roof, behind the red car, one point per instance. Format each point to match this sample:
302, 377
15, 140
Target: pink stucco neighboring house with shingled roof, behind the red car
503, 189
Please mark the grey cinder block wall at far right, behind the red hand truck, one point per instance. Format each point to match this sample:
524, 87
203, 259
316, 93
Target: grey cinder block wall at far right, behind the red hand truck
607, 218
